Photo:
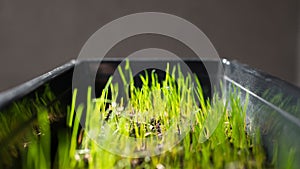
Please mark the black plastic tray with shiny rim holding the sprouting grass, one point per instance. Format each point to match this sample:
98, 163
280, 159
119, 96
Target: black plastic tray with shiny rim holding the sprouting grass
274, 105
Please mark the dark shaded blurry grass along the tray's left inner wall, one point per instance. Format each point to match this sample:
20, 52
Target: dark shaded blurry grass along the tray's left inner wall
25, 134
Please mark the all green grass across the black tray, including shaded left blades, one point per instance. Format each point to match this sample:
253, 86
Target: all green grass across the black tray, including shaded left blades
144, 115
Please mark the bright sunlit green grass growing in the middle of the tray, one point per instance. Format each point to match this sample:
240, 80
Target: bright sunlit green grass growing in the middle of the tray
155, 109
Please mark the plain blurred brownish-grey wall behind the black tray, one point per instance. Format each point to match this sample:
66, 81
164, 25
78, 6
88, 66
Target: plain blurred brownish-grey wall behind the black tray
37, 36
